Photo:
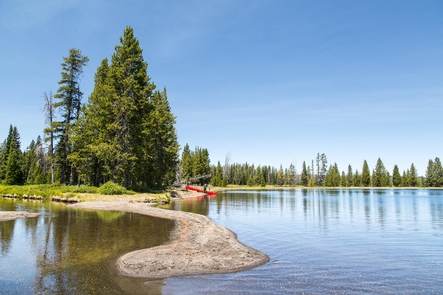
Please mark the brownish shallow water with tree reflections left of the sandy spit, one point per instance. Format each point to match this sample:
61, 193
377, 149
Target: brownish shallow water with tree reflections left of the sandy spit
72, 251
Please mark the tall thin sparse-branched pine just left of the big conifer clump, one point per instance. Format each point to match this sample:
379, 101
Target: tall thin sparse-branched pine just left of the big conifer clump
69, 105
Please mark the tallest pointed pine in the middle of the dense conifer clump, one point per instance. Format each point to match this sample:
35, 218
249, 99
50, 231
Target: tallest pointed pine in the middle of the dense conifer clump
129, 89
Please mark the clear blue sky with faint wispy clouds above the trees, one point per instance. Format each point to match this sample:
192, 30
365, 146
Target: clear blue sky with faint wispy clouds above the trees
270, 82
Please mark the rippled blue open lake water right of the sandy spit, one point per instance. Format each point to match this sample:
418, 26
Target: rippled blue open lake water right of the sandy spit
328, 242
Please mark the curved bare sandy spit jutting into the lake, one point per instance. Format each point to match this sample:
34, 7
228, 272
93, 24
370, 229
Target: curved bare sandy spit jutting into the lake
197, 246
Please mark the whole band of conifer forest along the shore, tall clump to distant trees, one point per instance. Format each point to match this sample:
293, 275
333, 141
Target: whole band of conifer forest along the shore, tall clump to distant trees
123, 141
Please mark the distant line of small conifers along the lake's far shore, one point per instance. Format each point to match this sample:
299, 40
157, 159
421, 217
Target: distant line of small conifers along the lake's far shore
320, 174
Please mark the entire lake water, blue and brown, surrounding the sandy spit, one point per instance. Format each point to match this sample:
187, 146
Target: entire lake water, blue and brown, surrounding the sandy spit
320, 241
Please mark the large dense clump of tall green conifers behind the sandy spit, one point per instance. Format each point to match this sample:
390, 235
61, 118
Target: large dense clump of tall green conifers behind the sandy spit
126, 132
